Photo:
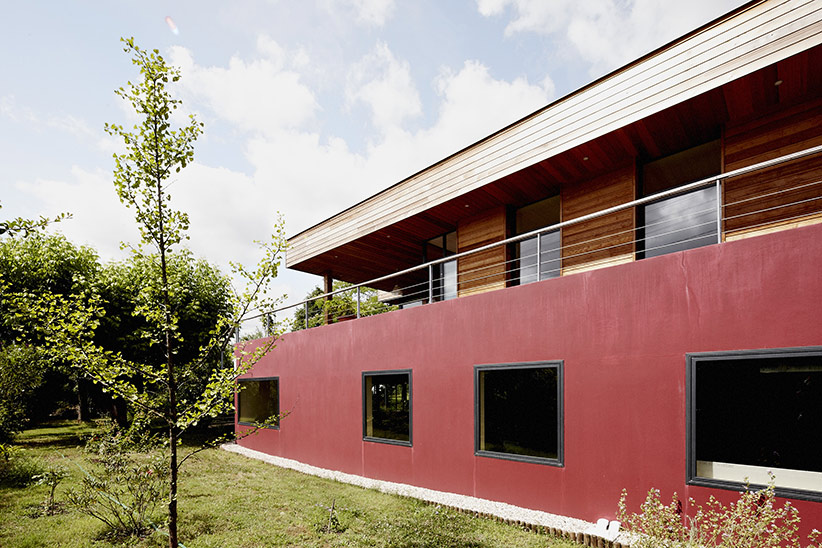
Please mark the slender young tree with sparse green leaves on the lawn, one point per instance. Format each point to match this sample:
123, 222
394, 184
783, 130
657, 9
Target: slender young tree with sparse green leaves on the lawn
155, 151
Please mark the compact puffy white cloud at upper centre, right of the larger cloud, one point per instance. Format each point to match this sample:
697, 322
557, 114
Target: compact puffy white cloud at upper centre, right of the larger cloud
384, 84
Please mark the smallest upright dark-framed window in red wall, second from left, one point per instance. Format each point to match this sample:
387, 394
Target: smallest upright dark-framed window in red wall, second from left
386, 404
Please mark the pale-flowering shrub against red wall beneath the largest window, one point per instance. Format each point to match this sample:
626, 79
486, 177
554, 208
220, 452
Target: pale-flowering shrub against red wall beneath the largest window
753, 521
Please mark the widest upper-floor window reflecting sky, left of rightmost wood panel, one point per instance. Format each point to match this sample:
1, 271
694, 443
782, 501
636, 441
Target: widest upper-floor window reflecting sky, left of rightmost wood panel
684, 221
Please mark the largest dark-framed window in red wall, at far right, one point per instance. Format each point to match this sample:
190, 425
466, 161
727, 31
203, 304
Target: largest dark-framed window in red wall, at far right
755, 412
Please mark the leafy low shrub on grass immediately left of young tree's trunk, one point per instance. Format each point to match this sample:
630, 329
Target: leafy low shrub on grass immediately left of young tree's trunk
124, 493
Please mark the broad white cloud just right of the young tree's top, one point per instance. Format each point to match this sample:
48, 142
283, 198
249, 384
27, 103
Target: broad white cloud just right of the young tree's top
261, 95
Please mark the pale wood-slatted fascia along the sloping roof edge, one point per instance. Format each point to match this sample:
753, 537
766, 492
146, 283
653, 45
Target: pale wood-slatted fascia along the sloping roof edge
752, 39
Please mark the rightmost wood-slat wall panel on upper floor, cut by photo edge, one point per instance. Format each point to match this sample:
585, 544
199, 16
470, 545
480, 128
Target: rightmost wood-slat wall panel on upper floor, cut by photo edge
783, 194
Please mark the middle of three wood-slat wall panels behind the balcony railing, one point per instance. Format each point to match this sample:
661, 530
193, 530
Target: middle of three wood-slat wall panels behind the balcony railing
600, 240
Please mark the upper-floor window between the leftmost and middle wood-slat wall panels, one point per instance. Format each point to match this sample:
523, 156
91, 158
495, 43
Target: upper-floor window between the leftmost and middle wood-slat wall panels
538, 257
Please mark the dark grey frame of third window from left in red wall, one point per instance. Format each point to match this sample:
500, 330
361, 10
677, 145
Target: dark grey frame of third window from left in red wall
559, 365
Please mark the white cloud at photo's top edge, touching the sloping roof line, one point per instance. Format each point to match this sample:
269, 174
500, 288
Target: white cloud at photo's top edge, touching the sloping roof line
607, 33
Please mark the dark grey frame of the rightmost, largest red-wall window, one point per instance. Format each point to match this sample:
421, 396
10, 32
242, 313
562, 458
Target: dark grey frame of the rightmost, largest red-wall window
692, 359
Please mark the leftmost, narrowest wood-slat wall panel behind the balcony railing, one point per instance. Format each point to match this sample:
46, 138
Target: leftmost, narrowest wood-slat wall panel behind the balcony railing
484, 271
